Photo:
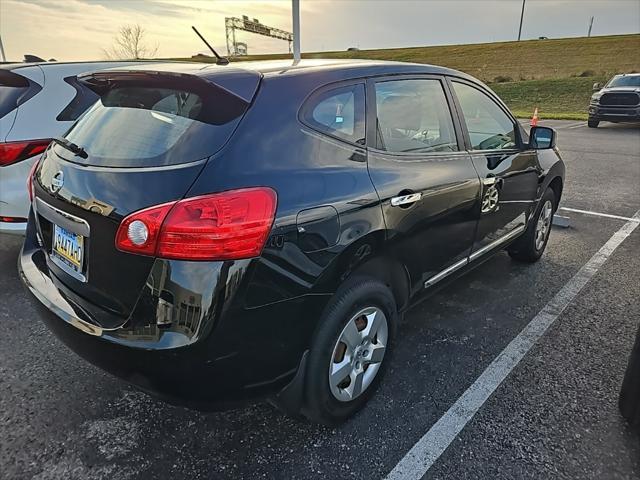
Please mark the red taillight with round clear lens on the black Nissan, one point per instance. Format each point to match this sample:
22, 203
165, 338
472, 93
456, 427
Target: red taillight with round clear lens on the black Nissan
221, 226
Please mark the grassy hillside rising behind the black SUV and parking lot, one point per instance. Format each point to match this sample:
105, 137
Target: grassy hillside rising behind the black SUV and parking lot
556, 75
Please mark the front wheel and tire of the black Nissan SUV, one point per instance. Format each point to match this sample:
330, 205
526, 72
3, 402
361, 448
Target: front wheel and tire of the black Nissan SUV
530, 246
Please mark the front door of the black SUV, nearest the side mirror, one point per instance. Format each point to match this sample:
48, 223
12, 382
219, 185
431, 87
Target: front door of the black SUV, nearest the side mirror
509, 172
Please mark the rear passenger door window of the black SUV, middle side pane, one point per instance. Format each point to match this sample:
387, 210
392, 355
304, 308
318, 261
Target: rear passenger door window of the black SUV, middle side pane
414, 116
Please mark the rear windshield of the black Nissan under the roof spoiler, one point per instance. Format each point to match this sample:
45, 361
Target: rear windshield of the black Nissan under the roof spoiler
139, 126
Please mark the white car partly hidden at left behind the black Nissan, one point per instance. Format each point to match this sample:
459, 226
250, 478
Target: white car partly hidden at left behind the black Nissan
38, 101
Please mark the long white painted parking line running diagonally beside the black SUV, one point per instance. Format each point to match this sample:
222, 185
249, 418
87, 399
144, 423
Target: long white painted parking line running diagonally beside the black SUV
428, 449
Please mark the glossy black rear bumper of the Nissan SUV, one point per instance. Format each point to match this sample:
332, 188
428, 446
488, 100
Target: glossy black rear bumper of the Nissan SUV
238, 354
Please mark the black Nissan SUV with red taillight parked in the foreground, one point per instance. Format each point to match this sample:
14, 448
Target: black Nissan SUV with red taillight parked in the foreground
218, 233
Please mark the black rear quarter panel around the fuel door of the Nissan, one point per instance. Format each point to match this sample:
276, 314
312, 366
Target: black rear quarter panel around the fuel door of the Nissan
307, 170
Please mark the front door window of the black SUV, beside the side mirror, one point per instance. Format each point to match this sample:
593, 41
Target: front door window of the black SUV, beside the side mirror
490, 128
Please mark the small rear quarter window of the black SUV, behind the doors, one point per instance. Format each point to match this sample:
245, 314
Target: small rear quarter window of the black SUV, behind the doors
339, 112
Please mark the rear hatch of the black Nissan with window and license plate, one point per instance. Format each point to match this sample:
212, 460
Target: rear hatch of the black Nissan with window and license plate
143, 144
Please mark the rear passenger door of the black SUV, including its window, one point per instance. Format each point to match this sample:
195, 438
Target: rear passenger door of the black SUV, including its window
423, 176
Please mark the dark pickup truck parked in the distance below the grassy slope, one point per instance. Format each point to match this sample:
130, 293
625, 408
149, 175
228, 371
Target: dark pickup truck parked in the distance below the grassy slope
617, 101
